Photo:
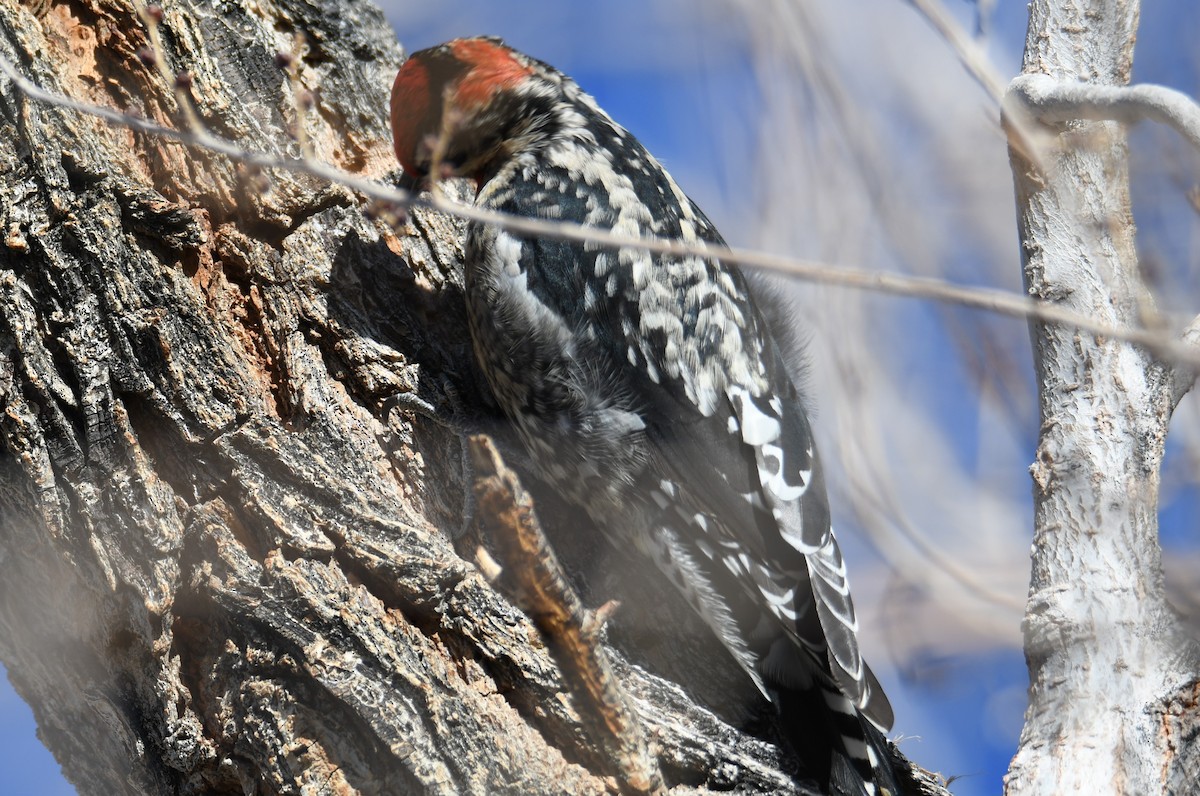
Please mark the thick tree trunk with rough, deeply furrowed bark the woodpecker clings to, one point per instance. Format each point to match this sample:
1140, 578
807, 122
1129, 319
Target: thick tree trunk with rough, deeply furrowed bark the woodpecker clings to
226, 558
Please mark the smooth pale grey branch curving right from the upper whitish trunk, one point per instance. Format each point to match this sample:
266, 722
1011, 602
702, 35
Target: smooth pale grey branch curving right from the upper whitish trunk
1054, 101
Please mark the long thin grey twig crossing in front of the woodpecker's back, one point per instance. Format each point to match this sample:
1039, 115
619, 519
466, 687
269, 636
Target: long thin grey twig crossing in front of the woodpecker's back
993, 301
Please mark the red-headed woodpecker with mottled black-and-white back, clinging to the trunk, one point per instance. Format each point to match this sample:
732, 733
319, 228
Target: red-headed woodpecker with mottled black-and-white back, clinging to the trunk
647, 387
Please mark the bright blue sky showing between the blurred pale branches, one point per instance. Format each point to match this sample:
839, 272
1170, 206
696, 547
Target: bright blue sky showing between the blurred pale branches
683, 81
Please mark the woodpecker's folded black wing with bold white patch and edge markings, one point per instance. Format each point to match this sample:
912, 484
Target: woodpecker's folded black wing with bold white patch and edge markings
752, 466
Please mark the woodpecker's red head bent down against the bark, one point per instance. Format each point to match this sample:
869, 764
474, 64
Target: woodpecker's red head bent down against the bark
465, 107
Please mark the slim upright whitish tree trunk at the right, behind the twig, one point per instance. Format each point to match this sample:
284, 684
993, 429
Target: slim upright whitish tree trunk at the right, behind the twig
1113, 705
